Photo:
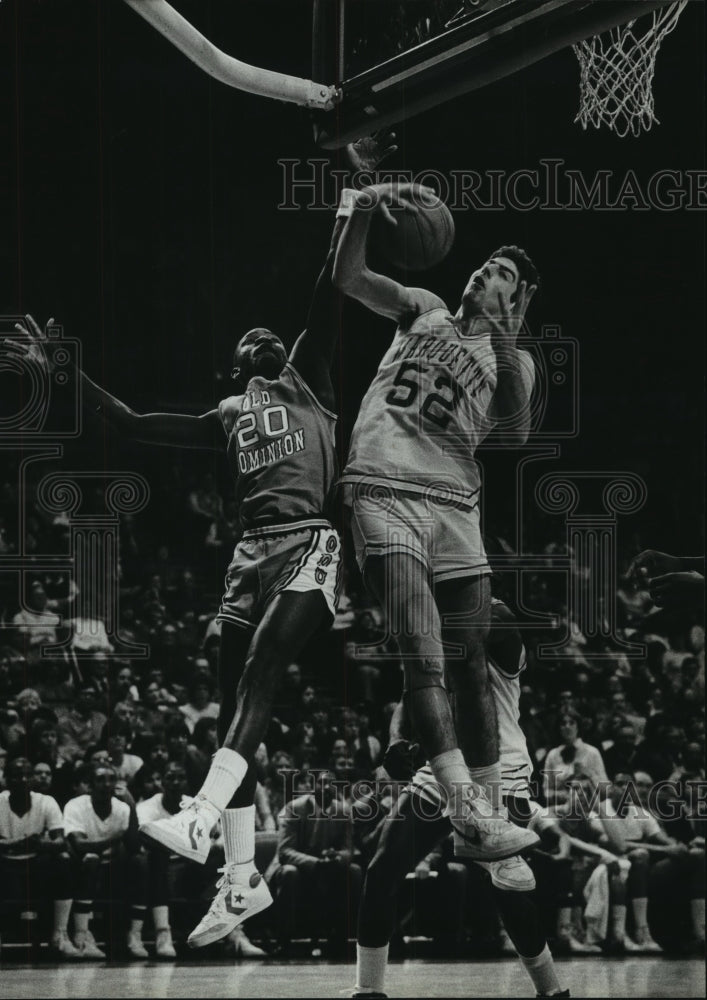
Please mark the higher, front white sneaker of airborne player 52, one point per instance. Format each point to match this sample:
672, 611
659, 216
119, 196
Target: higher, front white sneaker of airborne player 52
480, 833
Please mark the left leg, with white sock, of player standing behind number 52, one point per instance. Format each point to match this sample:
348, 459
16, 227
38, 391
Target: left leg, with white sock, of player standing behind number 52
405, 839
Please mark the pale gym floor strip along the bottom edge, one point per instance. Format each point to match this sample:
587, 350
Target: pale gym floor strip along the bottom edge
586, 977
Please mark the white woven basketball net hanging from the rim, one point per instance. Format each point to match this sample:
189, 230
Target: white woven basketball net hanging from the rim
617, 69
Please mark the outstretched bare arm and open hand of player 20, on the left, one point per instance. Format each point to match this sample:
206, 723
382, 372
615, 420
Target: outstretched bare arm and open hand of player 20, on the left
180, 430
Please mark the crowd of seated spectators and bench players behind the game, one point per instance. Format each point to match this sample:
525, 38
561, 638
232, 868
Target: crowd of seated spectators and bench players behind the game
92, 743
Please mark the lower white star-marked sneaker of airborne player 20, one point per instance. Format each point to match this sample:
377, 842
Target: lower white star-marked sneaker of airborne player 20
241, 893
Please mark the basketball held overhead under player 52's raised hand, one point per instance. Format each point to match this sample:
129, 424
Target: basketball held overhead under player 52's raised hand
420, 240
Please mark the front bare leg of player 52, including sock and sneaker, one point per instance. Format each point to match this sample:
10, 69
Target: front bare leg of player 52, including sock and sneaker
400, 583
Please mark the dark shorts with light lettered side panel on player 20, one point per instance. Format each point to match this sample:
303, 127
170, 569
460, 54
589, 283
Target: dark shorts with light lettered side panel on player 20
267, 561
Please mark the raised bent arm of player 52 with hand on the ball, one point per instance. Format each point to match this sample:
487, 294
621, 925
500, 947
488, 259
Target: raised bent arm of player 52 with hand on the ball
352, 275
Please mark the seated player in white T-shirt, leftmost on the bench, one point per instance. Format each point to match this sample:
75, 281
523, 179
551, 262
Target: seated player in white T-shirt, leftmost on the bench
34, 864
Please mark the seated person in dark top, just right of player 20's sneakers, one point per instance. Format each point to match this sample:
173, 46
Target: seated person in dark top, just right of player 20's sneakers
314, 878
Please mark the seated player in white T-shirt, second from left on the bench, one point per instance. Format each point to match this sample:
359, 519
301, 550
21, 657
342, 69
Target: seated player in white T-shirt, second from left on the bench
102, 834
